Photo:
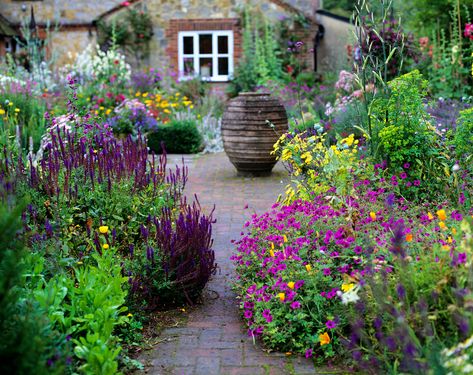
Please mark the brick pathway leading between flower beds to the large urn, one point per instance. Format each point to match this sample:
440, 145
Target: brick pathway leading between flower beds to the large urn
214, 340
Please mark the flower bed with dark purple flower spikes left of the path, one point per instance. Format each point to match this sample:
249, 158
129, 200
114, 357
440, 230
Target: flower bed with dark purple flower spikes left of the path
108, 239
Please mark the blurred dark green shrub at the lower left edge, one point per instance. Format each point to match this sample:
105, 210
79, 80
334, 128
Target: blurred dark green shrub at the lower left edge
27, 342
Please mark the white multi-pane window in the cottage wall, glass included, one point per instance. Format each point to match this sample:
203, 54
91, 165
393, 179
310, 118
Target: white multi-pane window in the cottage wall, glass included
208, 54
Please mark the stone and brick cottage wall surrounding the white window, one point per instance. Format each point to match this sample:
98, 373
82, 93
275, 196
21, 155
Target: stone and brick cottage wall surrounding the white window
168, 17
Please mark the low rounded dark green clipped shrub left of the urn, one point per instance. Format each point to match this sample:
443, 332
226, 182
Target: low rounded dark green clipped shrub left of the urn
178, 136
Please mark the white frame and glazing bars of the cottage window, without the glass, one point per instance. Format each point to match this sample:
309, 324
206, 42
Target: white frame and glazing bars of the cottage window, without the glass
214, 55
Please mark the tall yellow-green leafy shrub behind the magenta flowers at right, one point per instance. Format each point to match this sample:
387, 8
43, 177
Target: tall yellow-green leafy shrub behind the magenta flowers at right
404, 137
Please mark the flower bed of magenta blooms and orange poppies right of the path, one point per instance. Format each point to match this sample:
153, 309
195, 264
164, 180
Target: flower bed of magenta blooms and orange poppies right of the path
308, 269
